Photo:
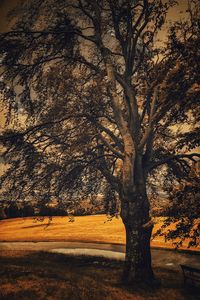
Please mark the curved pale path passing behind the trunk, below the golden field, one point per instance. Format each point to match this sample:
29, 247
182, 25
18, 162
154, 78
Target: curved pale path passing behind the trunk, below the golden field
161, 258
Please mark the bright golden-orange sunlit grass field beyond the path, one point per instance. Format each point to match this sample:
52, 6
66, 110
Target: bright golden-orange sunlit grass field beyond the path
86, 229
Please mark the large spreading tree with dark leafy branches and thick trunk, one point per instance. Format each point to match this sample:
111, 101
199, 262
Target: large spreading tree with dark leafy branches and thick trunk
98, 99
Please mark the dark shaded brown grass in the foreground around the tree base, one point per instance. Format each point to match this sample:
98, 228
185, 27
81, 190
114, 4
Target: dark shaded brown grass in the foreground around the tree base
40, 275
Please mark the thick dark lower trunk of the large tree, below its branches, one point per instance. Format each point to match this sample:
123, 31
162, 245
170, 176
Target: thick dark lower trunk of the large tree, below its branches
135, 215
